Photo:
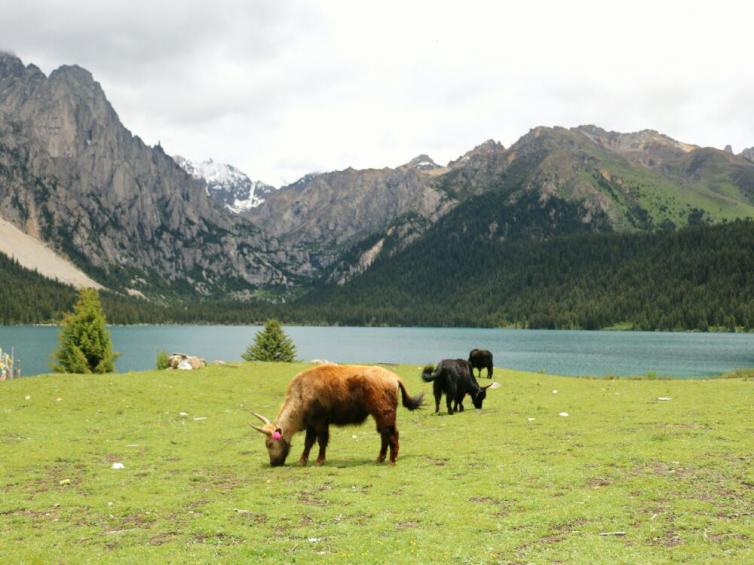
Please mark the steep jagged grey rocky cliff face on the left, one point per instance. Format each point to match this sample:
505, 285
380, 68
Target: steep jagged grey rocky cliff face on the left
72, 175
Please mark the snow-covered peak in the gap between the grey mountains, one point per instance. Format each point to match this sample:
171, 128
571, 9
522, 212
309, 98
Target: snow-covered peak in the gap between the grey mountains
227, 185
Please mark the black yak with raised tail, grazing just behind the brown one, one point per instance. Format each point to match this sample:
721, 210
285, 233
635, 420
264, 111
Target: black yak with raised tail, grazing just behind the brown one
454, 378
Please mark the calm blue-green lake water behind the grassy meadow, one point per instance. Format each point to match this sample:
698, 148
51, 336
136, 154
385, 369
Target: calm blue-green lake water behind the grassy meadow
596, 353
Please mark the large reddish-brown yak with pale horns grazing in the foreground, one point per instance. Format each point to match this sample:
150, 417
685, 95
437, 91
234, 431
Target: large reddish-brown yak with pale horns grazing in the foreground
339, 395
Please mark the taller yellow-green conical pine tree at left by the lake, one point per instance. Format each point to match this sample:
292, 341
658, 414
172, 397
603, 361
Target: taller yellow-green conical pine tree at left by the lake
85, 344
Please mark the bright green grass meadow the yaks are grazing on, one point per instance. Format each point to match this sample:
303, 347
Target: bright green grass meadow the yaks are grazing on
514, 482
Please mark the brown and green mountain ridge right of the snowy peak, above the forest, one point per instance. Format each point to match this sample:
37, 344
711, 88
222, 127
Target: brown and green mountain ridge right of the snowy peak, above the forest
612, 181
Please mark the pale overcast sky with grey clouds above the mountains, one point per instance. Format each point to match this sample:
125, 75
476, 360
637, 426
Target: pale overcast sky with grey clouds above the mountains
281, 88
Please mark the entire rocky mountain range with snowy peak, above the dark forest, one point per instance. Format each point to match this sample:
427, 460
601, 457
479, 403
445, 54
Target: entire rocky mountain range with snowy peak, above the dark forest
139, 221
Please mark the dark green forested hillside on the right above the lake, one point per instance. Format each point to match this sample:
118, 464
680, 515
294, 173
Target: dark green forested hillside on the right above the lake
695, 278
